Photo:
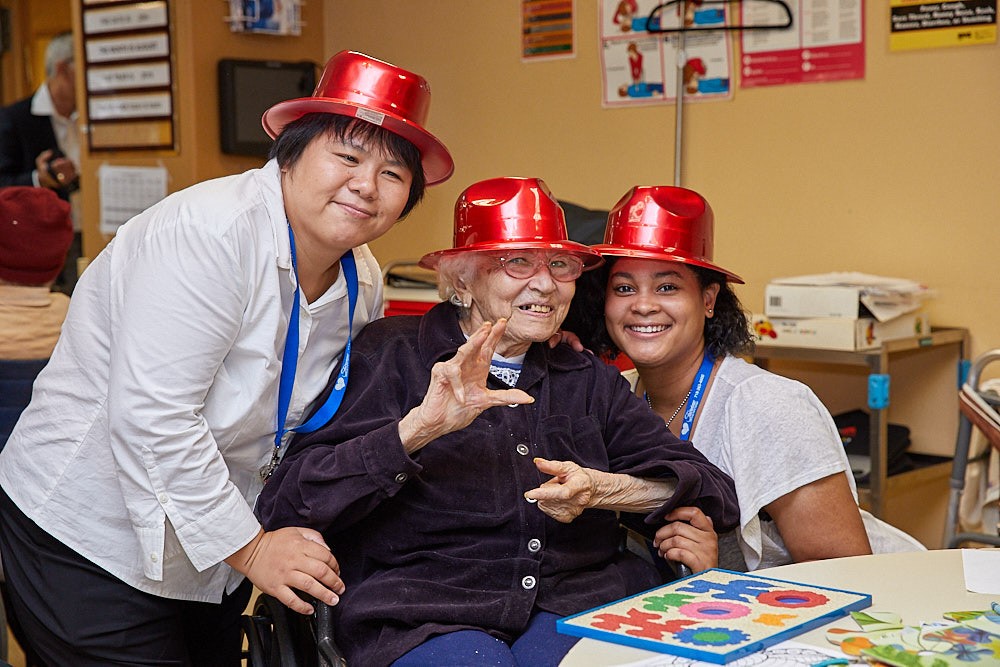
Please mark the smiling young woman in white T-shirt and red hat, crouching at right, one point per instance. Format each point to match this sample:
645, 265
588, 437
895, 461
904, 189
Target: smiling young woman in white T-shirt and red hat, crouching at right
662, 301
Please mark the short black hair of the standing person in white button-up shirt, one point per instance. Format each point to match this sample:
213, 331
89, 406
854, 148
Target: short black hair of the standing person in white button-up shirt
289, 146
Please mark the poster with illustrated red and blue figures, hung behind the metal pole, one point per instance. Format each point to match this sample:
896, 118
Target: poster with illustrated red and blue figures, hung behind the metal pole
639, 56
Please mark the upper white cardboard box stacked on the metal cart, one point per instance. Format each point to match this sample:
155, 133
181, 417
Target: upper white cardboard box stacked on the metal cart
845, 301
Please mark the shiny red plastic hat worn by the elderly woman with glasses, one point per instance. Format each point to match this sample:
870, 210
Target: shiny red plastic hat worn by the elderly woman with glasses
510, 214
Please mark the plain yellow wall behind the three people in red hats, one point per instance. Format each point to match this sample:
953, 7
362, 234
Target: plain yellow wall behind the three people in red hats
897, 174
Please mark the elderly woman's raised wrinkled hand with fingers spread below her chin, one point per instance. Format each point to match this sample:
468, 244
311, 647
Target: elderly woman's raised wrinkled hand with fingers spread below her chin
457, 392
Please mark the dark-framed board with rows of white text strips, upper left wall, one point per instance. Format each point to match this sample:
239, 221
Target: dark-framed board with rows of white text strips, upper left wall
128, 75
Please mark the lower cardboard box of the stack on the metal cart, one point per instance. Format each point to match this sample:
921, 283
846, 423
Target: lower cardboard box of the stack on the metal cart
836, 333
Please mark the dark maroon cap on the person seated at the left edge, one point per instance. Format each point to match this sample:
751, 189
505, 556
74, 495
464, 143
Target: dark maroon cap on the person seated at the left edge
36, 230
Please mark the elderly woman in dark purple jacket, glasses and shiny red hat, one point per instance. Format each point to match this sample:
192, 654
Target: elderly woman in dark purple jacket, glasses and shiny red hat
471, 482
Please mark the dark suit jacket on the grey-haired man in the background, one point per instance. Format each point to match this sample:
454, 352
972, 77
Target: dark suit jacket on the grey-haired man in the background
22, 137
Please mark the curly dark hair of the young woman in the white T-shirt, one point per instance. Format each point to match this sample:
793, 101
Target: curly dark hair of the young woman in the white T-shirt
726, 332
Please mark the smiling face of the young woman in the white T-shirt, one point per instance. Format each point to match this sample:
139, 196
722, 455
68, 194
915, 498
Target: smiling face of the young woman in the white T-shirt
655, 310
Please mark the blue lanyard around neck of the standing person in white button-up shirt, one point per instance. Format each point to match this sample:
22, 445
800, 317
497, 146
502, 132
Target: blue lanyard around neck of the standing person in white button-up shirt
289, 361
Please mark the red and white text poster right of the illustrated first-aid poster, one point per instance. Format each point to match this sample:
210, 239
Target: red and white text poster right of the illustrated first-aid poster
825, 42
